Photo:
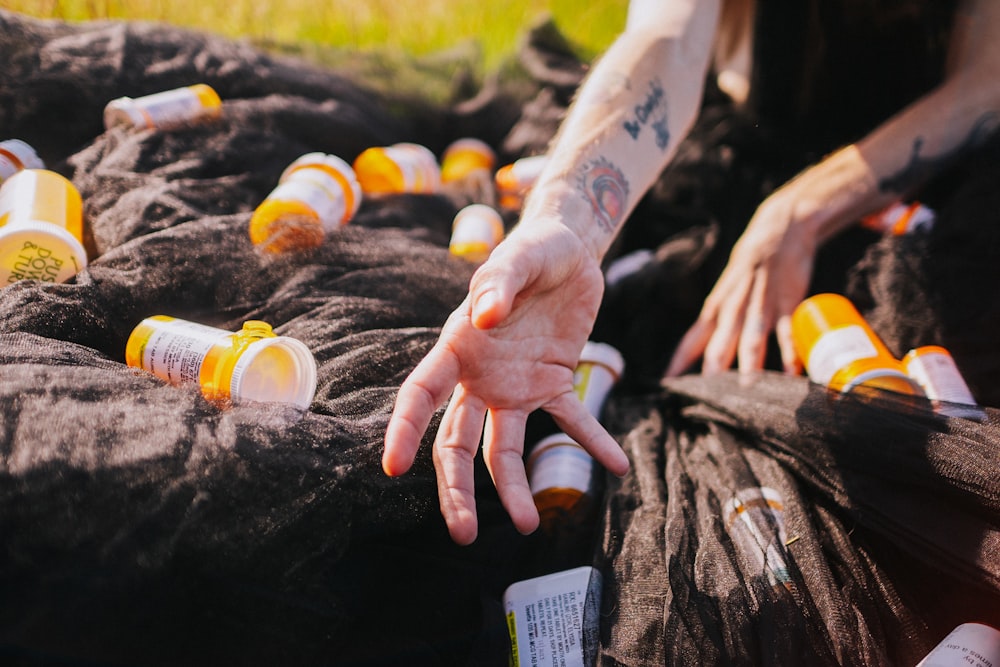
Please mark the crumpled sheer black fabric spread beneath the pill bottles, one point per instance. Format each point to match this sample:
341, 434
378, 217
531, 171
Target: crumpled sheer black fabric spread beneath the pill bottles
142, 525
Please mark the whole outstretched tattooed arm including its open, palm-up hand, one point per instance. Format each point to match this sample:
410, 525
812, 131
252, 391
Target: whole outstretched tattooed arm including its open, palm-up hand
512, 346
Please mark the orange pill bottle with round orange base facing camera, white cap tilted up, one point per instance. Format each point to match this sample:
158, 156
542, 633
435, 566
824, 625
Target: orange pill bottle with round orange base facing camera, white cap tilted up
316, 194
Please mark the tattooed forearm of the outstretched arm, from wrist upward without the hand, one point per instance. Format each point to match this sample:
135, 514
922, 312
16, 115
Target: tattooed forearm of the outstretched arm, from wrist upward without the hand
625, 125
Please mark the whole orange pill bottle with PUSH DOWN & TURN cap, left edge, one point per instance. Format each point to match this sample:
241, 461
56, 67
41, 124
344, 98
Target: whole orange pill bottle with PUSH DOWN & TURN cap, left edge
41, 228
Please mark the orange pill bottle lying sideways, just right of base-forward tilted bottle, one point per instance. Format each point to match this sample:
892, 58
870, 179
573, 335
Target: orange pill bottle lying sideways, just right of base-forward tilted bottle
403, 167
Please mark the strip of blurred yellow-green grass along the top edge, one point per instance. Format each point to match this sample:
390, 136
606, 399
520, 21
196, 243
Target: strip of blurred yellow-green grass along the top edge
410, 28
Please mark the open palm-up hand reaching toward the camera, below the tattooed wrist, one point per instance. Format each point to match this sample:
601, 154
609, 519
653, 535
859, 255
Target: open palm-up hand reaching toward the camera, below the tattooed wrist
510, 348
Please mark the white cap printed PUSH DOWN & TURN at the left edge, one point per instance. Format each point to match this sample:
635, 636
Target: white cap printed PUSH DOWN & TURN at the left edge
39, 250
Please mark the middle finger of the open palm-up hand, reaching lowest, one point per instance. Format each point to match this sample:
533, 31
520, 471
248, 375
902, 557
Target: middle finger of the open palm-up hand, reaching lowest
454, 451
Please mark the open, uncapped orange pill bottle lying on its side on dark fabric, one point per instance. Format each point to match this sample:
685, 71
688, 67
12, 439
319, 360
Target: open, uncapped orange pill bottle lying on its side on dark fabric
253, 364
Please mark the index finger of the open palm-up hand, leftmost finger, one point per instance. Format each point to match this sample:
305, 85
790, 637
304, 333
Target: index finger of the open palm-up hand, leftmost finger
426, 388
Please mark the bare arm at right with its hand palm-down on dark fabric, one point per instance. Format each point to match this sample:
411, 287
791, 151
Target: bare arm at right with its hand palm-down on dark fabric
770, 267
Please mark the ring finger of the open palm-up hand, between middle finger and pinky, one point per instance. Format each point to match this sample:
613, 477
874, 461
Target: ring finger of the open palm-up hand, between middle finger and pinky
503, 445
